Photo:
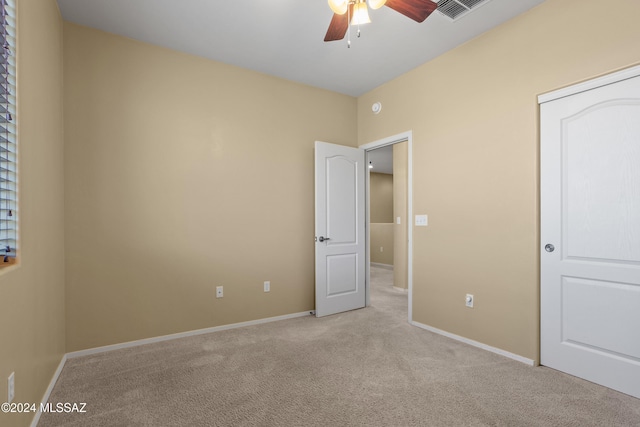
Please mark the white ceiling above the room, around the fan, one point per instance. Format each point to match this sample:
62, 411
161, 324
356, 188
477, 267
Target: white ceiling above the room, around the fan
284, 38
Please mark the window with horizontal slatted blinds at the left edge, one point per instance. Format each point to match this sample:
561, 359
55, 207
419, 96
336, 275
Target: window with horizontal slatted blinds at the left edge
8, 148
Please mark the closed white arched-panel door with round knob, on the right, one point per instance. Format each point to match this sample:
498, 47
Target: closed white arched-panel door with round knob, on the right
590, 233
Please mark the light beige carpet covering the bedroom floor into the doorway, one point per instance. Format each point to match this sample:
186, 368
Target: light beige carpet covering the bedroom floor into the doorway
367, 367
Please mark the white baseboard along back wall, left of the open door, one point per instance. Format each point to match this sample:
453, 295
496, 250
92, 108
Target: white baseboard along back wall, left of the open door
161, 338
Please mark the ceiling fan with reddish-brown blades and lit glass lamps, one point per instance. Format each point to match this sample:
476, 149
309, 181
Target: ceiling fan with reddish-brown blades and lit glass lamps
355, 11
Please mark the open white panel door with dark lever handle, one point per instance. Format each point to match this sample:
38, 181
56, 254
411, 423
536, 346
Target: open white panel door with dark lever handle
340, 228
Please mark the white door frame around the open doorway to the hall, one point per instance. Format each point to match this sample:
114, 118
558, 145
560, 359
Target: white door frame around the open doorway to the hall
394, 139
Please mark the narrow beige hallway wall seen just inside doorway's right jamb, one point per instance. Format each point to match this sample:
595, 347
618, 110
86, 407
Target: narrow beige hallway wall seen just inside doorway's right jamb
400, 208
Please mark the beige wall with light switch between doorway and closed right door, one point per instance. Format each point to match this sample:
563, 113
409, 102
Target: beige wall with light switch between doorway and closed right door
475, 160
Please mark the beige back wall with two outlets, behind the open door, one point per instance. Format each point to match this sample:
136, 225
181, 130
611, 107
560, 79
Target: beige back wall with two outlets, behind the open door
183, 174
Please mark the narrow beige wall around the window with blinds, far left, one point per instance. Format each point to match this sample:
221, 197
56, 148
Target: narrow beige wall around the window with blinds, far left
32, 338
